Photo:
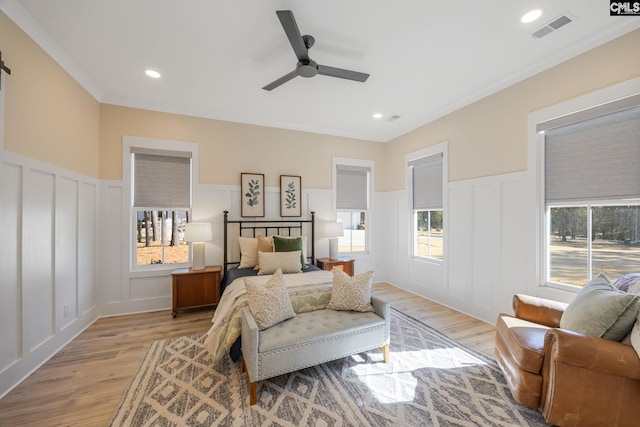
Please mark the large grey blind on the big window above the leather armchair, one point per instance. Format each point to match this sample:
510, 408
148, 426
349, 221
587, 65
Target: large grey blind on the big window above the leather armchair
595, 159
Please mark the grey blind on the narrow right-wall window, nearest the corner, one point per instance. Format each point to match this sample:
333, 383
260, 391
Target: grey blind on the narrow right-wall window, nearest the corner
426, 174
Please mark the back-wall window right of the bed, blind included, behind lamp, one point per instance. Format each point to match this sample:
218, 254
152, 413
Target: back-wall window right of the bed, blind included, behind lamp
352, 206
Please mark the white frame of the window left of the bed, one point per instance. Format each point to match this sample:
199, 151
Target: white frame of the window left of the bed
129, 211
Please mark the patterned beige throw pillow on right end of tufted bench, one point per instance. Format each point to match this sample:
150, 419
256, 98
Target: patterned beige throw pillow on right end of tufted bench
351, 293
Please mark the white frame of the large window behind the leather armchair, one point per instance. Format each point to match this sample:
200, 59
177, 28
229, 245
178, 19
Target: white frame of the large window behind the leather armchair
536, 165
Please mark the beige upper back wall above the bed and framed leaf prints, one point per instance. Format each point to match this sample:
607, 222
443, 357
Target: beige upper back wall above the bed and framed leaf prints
226, 149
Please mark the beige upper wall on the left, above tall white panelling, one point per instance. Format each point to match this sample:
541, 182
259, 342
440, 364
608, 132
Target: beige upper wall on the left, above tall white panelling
48, 116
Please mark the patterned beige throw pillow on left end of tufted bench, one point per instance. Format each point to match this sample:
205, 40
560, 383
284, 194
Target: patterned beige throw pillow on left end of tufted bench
269, 303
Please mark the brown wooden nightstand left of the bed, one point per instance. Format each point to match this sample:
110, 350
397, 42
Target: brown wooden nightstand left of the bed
195, 288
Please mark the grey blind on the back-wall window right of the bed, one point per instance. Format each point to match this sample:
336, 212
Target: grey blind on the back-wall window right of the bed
352, 187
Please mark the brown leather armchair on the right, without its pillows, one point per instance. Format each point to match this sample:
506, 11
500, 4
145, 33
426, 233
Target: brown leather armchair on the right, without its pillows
574, 379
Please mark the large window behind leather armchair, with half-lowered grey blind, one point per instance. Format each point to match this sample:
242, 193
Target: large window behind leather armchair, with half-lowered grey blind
592, 192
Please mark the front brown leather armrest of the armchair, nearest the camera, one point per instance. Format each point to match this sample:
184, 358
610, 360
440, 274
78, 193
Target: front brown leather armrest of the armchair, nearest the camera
591, 353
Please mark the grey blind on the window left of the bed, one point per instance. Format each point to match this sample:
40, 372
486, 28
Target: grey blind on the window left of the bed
162, 181
